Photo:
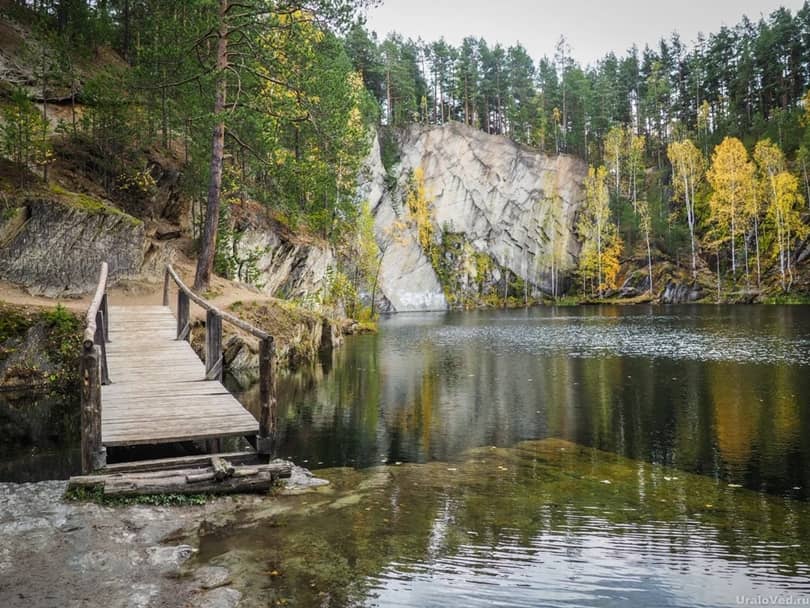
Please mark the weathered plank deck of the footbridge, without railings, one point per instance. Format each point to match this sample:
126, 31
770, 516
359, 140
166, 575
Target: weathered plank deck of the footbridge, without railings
158, 392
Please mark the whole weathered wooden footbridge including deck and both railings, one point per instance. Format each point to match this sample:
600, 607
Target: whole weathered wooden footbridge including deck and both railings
142, 383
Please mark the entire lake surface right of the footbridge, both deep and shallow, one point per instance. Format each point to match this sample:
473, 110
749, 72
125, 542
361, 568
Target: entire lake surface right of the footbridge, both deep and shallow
552, 457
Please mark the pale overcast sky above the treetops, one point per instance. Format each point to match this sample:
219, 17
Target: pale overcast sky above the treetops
593, 28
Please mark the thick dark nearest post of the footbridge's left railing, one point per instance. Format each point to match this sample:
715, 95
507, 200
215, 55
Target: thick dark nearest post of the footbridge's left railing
94, 455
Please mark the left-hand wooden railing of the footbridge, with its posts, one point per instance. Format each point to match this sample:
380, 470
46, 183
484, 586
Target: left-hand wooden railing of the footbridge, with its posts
93, 373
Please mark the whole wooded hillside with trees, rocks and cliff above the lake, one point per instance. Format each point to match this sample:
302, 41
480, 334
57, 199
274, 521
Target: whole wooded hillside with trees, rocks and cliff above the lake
109, 153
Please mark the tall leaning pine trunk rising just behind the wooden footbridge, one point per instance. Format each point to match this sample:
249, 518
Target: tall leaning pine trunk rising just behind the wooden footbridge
205, 262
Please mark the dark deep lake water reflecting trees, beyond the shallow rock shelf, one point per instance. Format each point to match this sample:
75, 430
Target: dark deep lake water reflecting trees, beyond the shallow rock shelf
722, 391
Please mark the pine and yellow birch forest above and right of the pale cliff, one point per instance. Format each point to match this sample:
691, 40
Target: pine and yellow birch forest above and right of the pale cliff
698, 151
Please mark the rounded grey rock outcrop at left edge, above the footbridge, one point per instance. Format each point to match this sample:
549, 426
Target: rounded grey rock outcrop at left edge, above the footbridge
54, 245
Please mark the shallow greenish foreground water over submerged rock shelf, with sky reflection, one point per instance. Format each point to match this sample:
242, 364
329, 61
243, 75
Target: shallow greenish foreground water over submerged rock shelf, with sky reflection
545, 523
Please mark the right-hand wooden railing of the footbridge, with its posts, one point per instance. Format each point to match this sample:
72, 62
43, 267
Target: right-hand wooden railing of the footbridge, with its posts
214, 356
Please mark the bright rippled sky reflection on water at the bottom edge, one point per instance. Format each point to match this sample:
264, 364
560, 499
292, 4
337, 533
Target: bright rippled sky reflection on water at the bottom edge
600, 564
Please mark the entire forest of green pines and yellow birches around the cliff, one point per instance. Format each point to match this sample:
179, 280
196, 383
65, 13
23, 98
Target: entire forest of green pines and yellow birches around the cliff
698, 152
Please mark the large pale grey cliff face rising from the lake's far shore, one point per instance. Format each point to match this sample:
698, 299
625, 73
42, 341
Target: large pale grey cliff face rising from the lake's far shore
492, 195
